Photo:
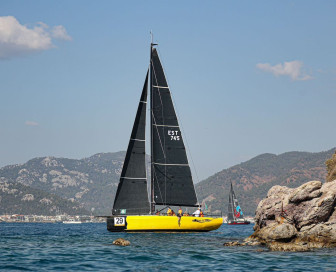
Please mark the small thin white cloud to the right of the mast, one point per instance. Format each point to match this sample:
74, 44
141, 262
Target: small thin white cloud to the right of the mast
293, 69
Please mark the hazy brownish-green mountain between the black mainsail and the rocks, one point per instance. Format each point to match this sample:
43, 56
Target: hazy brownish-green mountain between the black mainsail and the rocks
252, 179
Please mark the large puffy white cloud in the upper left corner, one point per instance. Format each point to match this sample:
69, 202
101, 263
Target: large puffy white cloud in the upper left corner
18, 40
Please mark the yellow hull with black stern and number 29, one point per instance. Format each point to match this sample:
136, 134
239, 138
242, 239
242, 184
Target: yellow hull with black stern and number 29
155, 223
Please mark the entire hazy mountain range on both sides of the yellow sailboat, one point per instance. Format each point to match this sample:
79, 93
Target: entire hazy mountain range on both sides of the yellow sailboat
89, 185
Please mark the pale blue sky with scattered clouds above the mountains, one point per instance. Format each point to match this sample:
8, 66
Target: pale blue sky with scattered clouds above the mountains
247, 77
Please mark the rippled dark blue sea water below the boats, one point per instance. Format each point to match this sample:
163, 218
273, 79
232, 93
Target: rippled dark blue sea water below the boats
88, 247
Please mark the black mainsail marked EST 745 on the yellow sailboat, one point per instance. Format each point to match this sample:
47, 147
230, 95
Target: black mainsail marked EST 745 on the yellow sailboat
171, 176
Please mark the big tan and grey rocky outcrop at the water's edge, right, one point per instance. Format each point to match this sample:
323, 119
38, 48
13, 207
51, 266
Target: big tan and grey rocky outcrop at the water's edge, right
297, 219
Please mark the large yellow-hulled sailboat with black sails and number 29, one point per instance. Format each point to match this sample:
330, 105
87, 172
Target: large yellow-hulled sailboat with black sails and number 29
171, 180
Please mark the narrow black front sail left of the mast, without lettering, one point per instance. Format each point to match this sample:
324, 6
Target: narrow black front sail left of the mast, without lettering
132, 197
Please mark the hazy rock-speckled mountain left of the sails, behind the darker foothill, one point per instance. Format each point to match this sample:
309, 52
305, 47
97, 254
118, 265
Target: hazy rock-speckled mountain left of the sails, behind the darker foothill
89, 182
